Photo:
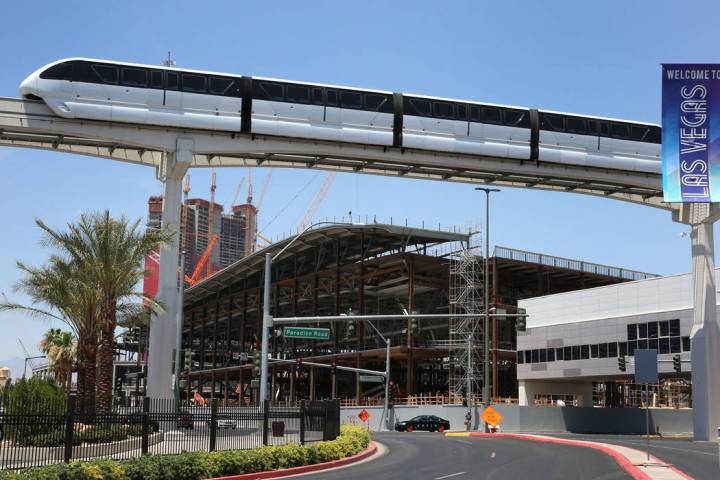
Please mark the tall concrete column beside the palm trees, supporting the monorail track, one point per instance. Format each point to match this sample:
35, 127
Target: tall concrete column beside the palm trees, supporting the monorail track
164, 328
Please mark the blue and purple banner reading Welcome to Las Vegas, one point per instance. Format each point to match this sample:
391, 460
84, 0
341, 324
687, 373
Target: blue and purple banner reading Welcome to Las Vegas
691, 133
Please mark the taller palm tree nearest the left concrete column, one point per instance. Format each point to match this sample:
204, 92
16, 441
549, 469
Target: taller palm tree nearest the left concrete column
112, 251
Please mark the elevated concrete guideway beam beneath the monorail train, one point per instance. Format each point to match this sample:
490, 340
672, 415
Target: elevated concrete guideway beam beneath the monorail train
31, 124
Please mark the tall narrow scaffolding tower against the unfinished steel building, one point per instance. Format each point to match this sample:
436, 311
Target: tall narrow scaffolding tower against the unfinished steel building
466, 297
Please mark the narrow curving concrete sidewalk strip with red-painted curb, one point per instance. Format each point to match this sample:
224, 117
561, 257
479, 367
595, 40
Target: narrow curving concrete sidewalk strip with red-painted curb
633, 461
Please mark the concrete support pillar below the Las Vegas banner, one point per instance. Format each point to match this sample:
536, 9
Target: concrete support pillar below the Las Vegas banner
705, 334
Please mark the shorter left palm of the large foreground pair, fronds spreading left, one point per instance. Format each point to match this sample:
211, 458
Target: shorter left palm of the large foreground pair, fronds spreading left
62, 290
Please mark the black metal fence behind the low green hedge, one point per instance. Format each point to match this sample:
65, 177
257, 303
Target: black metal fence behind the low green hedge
42, 433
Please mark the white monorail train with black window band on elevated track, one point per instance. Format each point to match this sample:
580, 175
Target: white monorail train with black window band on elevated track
145, 94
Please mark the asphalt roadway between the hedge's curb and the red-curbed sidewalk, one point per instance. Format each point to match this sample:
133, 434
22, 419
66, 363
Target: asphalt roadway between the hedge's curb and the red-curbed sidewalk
432, 456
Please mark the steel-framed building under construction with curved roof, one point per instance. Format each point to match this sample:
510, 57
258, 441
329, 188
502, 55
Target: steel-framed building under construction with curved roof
372, 269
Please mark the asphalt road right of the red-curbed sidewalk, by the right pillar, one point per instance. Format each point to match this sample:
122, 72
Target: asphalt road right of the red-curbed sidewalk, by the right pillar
699, 460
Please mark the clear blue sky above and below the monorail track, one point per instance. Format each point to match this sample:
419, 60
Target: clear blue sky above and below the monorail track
599, 58
